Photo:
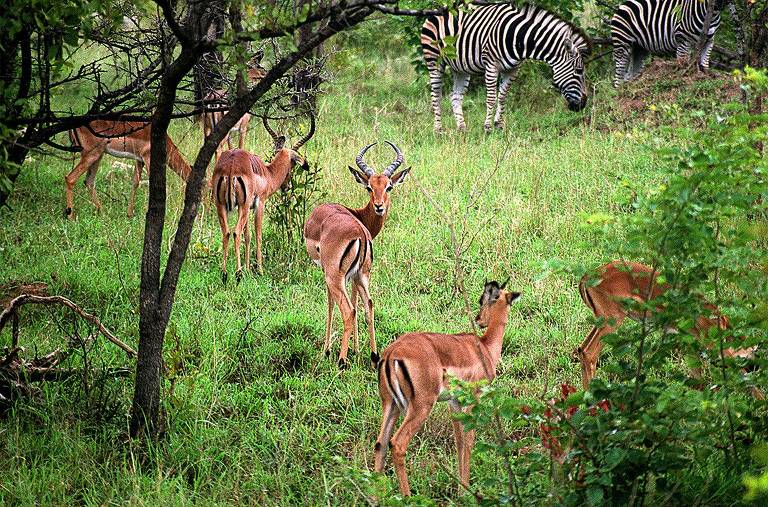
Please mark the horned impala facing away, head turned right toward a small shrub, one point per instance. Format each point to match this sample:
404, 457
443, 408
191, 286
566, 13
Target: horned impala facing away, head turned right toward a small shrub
242, 180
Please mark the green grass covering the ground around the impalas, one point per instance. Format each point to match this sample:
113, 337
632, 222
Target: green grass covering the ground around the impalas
260, 416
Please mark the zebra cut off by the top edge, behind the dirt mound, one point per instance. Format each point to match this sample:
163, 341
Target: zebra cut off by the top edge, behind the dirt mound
658, 27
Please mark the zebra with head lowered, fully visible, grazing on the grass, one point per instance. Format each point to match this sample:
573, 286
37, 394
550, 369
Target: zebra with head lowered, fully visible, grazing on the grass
492, 40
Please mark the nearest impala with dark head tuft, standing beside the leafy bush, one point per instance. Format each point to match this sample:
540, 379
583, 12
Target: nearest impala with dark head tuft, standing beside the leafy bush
413, 376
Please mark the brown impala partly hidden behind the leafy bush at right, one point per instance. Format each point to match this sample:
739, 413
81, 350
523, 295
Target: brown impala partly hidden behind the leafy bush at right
606, 295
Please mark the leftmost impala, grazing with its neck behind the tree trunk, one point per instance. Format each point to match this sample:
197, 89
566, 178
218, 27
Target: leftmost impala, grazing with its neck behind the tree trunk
122, 139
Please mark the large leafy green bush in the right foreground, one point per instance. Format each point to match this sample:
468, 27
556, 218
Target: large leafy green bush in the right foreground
645, 432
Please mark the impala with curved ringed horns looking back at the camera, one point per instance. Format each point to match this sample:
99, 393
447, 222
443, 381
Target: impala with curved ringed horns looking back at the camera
339, 239
